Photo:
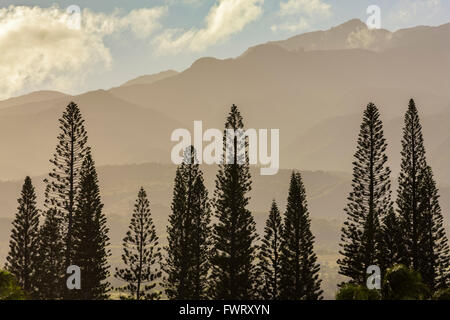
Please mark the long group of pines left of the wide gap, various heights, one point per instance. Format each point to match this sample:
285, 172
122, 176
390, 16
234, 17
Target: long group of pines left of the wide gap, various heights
212, 250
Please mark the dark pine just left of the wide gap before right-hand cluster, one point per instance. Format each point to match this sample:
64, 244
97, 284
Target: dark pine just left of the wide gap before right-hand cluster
299, 267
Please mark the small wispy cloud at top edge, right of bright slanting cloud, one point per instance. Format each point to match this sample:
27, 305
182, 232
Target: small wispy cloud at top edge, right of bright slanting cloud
300, 14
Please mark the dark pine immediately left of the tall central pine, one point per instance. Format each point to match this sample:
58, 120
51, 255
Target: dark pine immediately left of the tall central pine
188, 250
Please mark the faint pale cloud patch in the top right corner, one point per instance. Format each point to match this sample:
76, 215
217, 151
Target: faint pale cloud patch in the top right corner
417, 11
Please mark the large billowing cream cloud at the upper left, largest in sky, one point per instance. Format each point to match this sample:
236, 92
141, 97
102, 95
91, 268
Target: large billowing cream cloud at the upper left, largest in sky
44, 46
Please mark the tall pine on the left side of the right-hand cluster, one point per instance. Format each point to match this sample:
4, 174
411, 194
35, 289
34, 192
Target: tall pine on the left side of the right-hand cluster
368, 203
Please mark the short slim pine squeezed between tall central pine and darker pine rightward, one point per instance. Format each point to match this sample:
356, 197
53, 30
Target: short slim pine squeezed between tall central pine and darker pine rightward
269, 266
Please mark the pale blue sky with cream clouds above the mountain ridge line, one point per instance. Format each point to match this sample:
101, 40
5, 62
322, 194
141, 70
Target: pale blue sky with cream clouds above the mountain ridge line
108, 42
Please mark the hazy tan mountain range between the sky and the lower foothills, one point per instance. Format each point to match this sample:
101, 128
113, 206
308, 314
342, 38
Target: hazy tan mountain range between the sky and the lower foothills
313, 87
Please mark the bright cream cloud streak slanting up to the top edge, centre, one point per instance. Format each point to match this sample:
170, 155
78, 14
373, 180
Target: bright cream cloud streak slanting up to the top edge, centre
225, 18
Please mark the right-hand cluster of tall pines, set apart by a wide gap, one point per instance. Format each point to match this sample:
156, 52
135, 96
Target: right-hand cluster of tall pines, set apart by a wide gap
378, 233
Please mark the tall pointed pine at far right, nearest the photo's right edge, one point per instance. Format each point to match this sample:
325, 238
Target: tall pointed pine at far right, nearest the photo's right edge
424, 242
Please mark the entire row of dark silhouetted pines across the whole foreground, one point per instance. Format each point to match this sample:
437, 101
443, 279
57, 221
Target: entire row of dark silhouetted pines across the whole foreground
213, 250
